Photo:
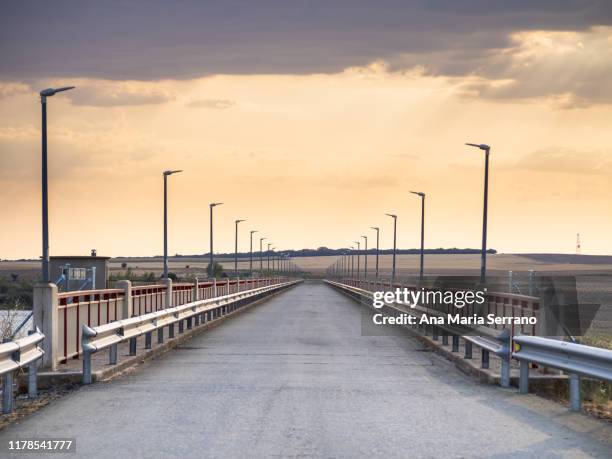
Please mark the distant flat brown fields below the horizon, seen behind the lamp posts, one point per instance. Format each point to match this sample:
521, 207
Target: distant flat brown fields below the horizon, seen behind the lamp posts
593, 273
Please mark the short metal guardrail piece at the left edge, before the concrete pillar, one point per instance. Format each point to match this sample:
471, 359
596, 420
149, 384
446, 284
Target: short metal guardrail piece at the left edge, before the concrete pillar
15, 355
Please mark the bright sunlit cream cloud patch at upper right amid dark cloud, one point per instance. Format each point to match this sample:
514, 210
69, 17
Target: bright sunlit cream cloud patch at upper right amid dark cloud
568, 68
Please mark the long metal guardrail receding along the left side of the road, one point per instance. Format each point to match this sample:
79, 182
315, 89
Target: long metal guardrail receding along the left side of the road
109, 335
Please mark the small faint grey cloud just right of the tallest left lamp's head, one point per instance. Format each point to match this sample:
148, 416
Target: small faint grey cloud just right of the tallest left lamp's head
112, 94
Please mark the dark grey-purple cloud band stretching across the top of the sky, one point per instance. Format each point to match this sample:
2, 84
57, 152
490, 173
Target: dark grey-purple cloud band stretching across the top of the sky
183, 39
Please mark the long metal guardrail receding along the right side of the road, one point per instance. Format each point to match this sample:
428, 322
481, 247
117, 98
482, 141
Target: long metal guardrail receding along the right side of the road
489, 340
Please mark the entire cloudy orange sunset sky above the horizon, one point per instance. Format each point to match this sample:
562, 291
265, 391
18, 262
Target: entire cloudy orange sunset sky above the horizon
310, 120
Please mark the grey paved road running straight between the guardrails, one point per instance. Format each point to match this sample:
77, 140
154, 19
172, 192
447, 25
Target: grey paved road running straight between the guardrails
293, 377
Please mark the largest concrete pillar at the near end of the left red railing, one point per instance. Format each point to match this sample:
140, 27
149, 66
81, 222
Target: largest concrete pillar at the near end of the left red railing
46, 318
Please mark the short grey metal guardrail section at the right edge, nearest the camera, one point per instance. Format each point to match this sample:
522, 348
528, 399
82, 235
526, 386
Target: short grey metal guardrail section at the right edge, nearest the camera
575, 359
